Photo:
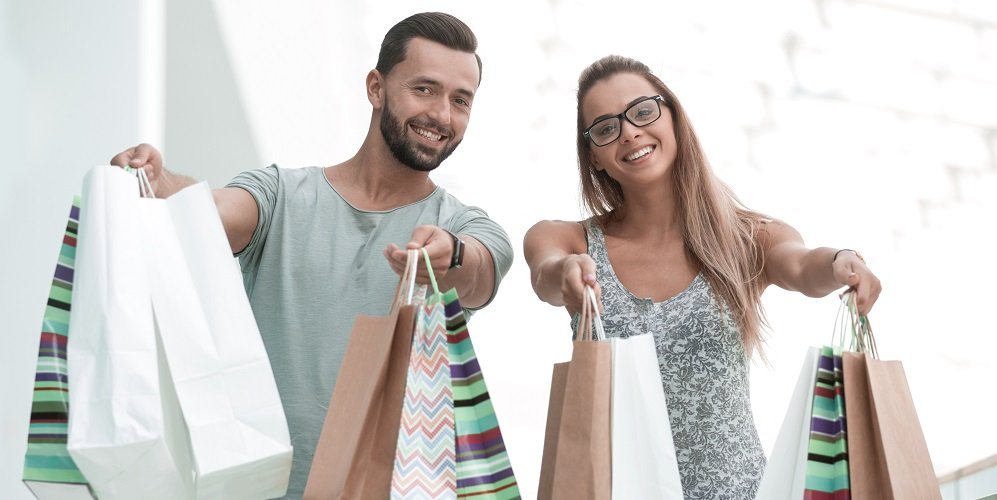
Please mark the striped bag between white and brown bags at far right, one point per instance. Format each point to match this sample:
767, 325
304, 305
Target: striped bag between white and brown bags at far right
827, 450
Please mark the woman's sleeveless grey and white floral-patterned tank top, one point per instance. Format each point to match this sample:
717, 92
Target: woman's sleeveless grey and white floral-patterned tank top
704, 370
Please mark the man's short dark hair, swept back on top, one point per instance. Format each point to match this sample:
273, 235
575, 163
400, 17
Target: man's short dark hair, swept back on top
438, 27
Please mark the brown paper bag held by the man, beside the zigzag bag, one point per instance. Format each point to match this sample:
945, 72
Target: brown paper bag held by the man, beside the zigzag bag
355, 454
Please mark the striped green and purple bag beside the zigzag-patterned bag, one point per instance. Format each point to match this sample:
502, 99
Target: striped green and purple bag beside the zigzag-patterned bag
483, 467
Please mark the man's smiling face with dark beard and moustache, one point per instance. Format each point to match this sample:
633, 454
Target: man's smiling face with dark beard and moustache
427, 103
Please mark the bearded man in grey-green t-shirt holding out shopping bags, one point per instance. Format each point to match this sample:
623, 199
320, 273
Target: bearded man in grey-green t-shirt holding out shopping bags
312, 241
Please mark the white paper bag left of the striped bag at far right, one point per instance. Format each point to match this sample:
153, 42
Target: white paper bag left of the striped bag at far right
787, 467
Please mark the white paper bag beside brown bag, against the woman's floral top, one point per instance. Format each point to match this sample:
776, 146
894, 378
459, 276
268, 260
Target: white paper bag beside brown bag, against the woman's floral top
645, 465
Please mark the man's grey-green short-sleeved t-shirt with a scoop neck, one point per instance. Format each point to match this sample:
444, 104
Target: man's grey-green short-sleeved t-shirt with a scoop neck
313, 264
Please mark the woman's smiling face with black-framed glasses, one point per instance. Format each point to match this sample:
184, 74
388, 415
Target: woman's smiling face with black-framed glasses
639, 154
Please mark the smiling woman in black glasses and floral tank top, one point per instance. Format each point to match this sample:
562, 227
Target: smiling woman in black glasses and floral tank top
672, 252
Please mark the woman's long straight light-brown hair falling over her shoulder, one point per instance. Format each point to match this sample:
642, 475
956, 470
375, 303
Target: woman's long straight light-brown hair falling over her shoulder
718, 230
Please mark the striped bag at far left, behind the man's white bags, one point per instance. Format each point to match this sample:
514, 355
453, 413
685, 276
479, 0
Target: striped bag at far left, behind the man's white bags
49, 472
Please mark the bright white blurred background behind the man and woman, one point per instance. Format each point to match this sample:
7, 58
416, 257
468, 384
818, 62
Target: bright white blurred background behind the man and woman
865, 124
